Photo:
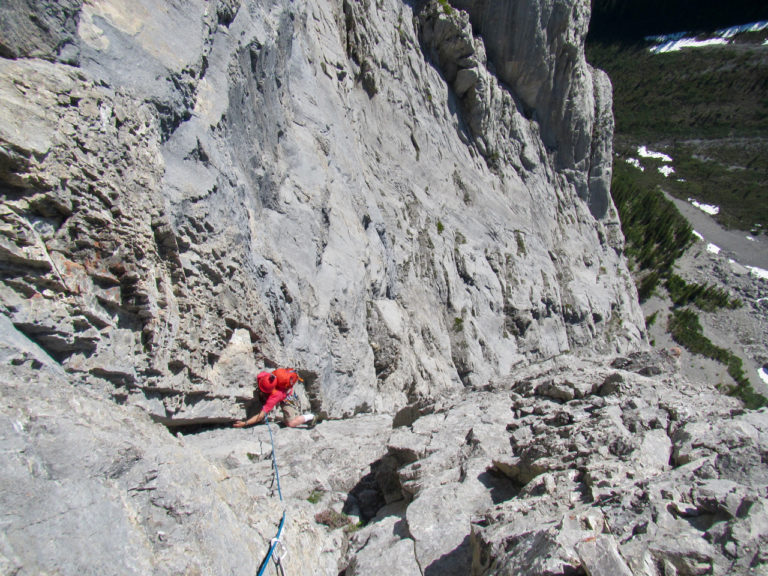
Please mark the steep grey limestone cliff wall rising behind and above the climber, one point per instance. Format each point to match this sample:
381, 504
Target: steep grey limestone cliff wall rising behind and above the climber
400, 199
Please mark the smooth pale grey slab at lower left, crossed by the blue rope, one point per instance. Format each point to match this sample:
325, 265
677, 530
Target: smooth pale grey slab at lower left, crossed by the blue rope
89, 485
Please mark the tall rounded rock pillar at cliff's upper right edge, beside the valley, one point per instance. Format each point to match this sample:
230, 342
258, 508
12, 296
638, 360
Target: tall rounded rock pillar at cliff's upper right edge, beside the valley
537, 49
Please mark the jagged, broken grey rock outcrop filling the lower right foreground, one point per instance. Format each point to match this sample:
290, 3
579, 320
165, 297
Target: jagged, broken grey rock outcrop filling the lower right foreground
577, 467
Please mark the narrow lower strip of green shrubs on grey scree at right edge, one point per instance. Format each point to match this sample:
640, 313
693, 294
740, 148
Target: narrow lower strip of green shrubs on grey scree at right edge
686, 330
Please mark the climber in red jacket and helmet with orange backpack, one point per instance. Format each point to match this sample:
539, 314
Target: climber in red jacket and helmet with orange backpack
275, 388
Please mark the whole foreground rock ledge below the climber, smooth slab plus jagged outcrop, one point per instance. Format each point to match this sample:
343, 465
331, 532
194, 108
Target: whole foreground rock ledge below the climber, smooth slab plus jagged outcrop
571, 466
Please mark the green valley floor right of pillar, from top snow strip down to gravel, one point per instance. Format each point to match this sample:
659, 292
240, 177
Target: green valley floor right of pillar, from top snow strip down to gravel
707, 109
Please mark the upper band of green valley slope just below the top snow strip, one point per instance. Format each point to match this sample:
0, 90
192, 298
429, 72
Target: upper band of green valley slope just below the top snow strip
686, 94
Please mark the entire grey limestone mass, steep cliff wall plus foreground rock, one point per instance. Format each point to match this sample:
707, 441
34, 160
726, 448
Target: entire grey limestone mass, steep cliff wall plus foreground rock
408, 201
